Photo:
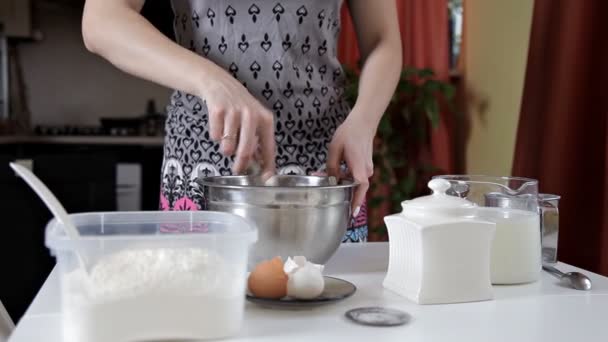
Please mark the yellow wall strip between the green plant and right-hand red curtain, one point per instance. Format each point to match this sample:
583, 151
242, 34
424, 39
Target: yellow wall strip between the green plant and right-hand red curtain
496, 37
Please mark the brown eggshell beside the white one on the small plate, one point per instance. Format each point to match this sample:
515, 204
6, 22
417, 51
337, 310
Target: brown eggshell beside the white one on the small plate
268, 280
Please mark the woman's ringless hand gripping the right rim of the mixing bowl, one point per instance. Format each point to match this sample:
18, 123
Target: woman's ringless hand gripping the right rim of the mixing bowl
353, 143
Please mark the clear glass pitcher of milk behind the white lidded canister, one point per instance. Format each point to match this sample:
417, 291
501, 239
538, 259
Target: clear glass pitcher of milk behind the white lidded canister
513, 204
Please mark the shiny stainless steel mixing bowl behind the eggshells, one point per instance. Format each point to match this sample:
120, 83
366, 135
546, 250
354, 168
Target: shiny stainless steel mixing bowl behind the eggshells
297, 215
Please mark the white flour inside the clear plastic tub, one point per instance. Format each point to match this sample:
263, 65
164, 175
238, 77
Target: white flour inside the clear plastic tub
144, 294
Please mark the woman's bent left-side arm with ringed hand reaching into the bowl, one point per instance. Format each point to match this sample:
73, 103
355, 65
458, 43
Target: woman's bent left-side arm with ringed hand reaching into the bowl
117, 31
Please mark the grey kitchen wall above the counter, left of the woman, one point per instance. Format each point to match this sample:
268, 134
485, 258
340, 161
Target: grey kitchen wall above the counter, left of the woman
66, 84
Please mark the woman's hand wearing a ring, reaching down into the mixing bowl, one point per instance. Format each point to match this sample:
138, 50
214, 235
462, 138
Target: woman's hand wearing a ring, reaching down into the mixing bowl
238, 121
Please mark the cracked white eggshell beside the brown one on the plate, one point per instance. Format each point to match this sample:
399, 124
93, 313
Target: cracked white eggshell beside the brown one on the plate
305, 279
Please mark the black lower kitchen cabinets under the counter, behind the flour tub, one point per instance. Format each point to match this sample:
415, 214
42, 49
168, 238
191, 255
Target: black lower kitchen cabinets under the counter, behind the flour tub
84, 178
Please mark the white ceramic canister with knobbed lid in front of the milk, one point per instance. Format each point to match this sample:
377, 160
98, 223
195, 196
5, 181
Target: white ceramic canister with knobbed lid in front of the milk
439, 250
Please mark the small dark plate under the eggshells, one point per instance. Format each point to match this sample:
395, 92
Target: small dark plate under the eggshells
335, 290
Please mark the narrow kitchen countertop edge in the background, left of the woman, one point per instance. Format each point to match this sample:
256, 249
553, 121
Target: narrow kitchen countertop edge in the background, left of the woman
84, 140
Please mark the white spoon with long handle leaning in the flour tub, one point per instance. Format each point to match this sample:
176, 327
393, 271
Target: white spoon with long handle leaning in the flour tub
51, 202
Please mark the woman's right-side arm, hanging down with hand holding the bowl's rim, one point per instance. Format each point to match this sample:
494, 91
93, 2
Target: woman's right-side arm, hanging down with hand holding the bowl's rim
377, 28
